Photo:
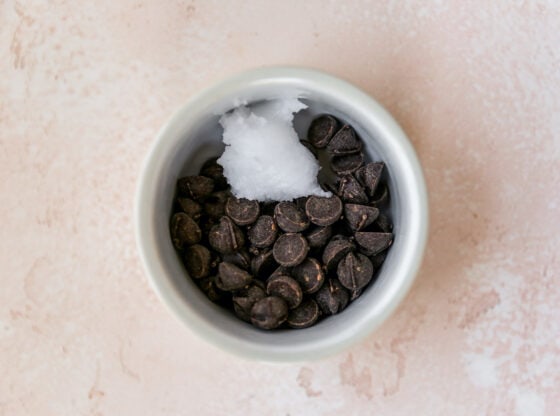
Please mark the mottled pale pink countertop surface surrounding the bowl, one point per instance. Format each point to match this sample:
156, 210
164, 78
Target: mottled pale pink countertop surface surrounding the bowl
84, 87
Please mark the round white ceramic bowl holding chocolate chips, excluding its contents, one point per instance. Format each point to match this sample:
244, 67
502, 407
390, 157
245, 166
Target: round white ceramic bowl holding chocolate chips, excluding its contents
192, 135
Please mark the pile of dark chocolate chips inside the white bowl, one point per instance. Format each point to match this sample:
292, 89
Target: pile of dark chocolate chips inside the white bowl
287, 264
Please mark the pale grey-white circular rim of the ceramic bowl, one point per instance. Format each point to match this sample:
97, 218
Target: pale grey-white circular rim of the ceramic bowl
148, 249
